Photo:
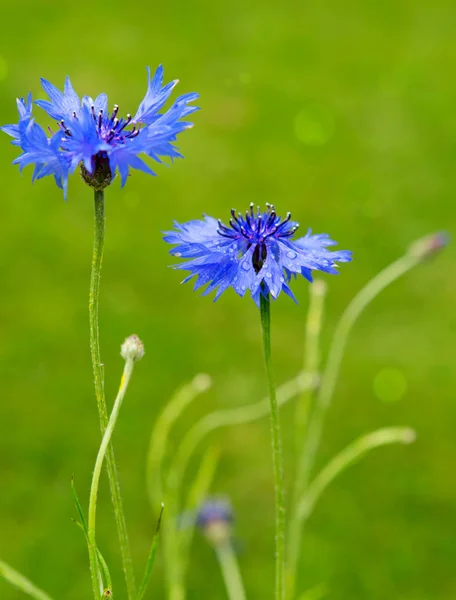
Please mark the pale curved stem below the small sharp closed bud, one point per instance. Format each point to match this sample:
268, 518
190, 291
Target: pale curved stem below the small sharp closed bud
129, 363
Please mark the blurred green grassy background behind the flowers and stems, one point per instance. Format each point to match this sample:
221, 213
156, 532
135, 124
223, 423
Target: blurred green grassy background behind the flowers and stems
344, 114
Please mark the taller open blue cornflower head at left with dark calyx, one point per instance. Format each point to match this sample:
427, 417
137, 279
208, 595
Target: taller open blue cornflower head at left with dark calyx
99, 141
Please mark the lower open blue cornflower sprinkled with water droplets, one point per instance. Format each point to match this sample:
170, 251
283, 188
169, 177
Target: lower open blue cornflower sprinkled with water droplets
255, 252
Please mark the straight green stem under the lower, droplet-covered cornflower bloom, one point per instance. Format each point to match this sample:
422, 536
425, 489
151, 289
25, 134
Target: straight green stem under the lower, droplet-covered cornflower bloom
276, 450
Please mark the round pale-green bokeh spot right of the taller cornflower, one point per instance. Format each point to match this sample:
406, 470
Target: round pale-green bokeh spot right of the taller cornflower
314, 125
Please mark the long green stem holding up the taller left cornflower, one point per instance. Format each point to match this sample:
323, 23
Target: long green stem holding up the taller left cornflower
97, 367
